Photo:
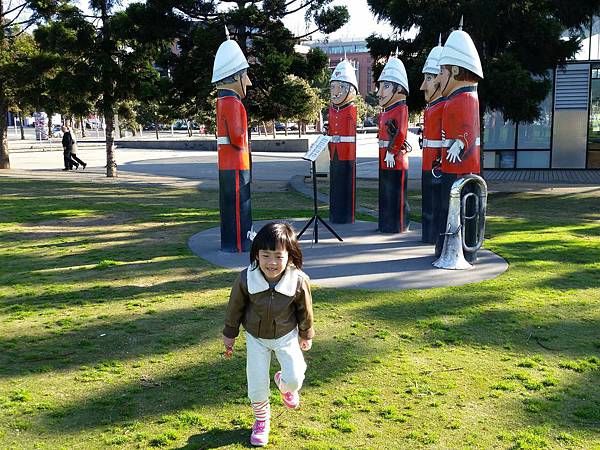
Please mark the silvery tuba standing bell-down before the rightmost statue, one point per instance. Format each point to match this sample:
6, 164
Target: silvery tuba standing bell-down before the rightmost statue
452, 256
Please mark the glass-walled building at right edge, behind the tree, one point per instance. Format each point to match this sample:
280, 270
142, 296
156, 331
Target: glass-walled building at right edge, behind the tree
567, 134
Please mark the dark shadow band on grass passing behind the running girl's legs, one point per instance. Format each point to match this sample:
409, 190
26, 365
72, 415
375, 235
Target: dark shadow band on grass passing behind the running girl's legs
216, 382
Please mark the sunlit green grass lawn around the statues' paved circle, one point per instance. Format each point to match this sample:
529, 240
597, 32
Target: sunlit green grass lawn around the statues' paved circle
110, 332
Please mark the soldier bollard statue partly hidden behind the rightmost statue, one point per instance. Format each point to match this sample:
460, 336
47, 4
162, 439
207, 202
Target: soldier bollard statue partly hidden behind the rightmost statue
432, 148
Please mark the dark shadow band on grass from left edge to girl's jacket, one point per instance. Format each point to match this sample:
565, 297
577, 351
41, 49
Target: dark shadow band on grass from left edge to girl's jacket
117, 340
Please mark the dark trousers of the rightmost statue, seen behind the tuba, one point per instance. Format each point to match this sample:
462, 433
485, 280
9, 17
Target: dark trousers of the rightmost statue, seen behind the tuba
470, 231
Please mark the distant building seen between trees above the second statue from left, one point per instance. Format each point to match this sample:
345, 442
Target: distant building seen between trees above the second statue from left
357, 53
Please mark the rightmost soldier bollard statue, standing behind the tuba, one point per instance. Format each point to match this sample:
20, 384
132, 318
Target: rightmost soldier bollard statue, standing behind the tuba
460, 73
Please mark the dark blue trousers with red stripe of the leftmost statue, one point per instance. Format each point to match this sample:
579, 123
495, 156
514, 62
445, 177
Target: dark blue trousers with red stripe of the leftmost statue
236, 213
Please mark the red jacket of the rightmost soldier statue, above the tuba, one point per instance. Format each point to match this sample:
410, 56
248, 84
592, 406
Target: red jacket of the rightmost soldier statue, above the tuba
460, 120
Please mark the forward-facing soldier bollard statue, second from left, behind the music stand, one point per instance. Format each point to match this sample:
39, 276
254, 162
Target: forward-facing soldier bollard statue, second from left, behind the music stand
342, 147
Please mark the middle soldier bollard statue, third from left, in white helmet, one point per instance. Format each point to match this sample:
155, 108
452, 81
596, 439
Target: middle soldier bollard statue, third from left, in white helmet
393, 161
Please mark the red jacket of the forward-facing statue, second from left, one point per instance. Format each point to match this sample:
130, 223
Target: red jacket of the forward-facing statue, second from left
342, 126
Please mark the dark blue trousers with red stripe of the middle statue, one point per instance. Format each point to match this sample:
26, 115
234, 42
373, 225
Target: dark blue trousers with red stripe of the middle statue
393, 201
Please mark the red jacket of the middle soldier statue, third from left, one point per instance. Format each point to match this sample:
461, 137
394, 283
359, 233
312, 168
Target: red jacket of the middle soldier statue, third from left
398, 112
